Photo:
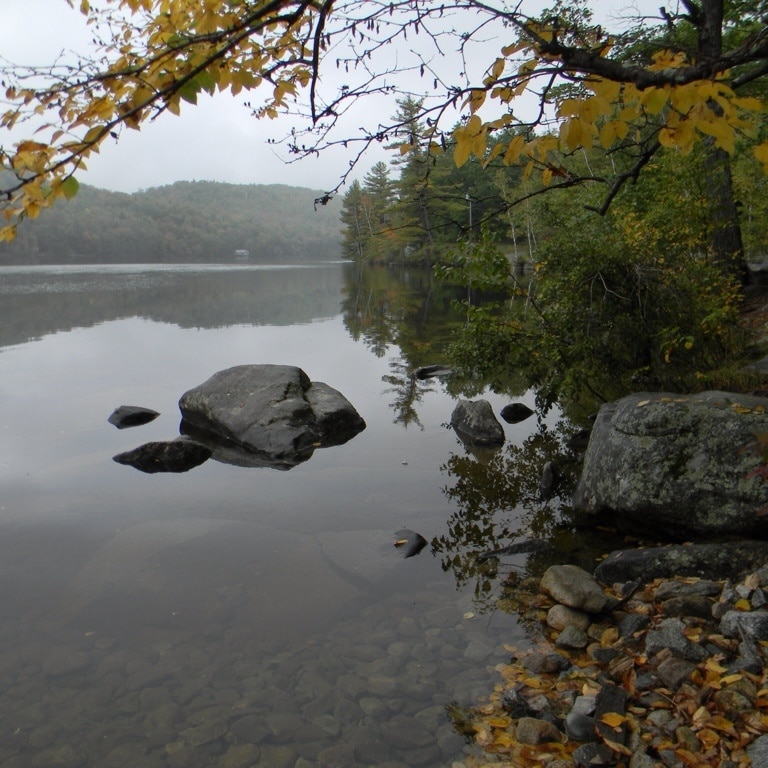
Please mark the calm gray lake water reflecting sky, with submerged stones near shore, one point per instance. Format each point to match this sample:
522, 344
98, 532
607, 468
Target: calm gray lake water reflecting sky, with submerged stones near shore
229, 616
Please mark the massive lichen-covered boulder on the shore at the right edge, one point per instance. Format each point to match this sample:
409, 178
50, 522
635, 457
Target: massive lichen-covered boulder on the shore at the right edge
680, 464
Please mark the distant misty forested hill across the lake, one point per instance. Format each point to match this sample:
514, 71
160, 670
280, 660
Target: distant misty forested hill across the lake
189, 221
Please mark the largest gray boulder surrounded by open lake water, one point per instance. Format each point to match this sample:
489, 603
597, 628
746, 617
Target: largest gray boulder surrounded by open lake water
267, 415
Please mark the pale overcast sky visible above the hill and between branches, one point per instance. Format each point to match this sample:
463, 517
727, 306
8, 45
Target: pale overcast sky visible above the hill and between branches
215, 140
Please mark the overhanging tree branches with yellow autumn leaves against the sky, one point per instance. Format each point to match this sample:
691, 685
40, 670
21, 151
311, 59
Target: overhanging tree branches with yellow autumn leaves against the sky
559, 82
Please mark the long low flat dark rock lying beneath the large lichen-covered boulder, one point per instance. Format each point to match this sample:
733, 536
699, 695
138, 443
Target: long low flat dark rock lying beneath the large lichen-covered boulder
716, 561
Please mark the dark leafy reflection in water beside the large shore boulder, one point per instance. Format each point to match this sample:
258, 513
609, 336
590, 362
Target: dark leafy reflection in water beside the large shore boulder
499, 500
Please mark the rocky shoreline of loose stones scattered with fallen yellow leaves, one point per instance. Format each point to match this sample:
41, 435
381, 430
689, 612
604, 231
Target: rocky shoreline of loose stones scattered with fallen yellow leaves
668, 673
